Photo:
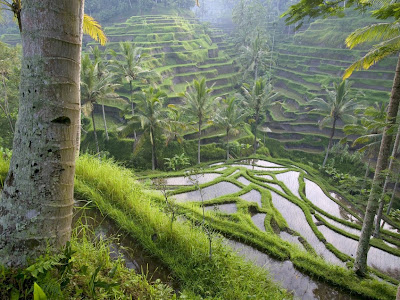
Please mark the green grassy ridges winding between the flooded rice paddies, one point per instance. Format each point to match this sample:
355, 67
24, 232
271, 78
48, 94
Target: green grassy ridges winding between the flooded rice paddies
236, 226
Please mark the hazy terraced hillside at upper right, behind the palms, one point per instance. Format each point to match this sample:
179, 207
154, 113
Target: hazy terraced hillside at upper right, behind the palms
305, 64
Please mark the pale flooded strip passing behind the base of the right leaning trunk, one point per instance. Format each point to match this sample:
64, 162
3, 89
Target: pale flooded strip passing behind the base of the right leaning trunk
377, 258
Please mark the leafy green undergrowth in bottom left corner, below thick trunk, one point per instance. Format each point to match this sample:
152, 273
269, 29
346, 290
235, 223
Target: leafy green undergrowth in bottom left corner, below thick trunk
83, 270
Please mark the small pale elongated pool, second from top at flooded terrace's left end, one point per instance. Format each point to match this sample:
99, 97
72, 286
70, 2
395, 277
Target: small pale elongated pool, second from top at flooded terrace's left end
210, 192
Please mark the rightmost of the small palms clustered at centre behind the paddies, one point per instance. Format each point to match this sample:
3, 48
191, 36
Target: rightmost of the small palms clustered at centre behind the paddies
257, 101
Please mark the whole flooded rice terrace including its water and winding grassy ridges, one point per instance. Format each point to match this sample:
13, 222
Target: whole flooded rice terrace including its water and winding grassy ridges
285, 219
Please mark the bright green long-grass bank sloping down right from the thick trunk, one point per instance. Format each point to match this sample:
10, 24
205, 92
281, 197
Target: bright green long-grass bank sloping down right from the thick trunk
182, 247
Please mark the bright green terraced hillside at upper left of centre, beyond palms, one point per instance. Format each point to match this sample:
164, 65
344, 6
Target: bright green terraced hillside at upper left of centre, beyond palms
178, 49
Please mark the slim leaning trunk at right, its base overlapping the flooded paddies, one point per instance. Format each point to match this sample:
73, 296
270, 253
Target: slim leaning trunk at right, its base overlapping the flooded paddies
360, 263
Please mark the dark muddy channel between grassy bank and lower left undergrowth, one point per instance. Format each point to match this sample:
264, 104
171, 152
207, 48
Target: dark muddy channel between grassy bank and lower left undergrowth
134, 255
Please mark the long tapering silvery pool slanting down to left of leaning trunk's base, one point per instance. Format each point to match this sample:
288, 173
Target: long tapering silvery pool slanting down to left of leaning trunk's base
297, 221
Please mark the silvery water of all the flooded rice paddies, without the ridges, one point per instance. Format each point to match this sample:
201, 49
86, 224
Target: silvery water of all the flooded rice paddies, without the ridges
302, 285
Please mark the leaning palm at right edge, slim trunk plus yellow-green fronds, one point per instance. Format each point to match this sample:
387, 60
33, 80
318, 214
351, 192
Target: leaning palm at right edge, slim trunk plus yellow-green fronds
389, 35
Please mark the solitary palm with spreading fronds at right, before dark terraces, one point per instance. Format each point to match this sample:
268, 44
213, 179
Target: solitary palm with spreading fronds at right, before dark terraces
337, 106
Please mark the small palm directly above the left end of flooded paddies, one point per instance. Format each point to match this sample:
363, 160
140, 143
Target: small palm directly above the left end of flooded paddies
151, 114
